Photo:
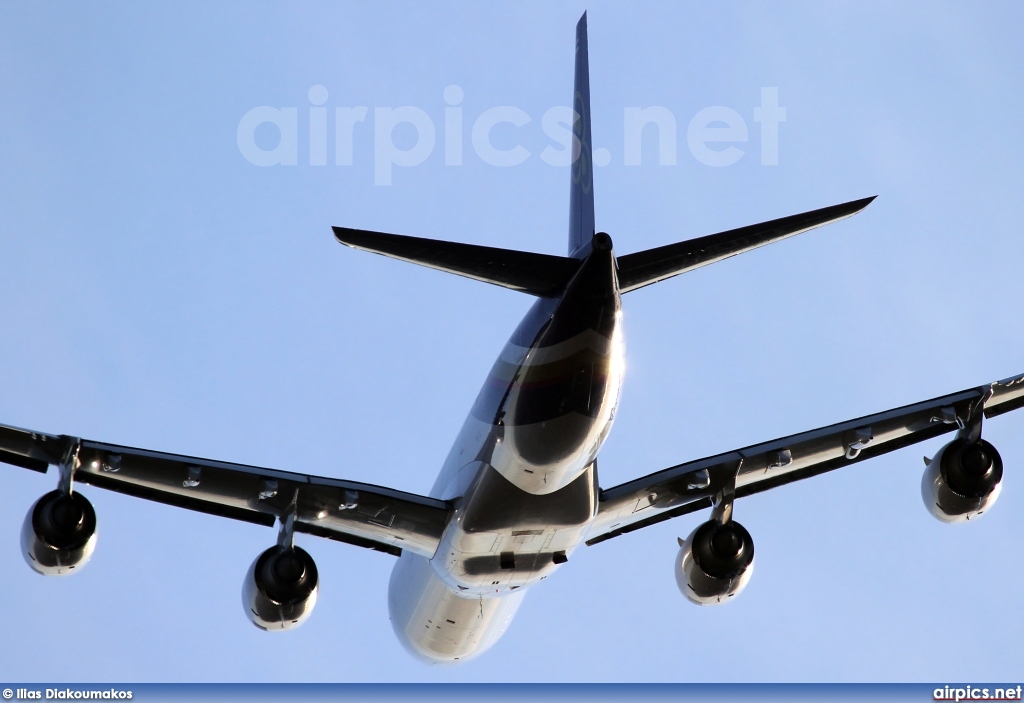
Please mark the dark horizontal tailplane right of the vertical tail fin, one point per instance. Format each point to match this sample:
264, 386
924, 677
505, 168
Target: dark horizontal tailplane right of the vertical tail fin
645, 269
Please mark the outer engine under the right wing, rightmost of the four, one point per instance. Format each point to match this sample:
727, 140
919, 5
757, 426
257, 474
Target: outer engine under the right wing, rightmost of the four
963, 480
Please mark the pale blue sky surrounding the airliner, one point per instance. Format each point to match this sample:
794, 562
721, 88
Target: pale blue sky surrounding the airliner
159, 290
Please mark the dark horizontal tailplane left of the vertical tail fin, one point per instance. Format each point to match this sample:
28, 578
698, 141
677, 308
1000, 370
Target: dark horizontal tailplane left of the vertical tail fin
538, 275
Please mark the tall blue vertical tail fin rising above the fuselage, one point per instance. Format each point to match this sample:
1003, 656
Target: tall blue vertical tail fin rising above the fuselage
582, 184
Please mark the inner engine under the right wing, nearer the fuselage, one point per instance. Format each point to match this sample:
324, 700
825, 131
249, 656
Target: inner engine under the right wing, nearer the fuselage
715, 563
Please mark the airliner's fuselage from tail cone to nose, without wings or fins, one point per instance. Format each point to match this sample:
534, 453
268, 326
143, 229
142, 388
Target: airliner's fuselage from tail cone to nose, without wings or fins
522, 474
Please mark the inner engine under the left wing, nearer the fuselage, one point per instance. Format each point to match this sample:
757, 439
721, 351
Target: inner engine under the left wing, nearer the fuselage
281, 588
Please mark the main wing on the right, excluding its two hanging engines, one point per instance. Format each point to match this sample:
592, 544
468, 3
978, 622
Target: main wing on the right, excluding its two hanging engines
688, 488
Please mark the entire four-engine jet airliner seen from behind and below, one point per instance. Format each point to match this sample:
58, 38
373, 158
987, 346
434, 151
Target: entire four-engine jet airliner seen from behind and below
519, 494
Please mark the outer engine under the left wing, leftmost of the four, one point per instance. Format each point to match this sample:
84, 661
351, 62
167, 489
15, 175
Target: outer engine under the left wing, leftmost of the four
59, 535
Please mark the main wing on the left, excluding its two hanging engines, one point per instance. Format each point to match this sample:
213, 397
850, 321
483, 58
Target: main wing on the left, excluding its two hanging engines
360, 514
